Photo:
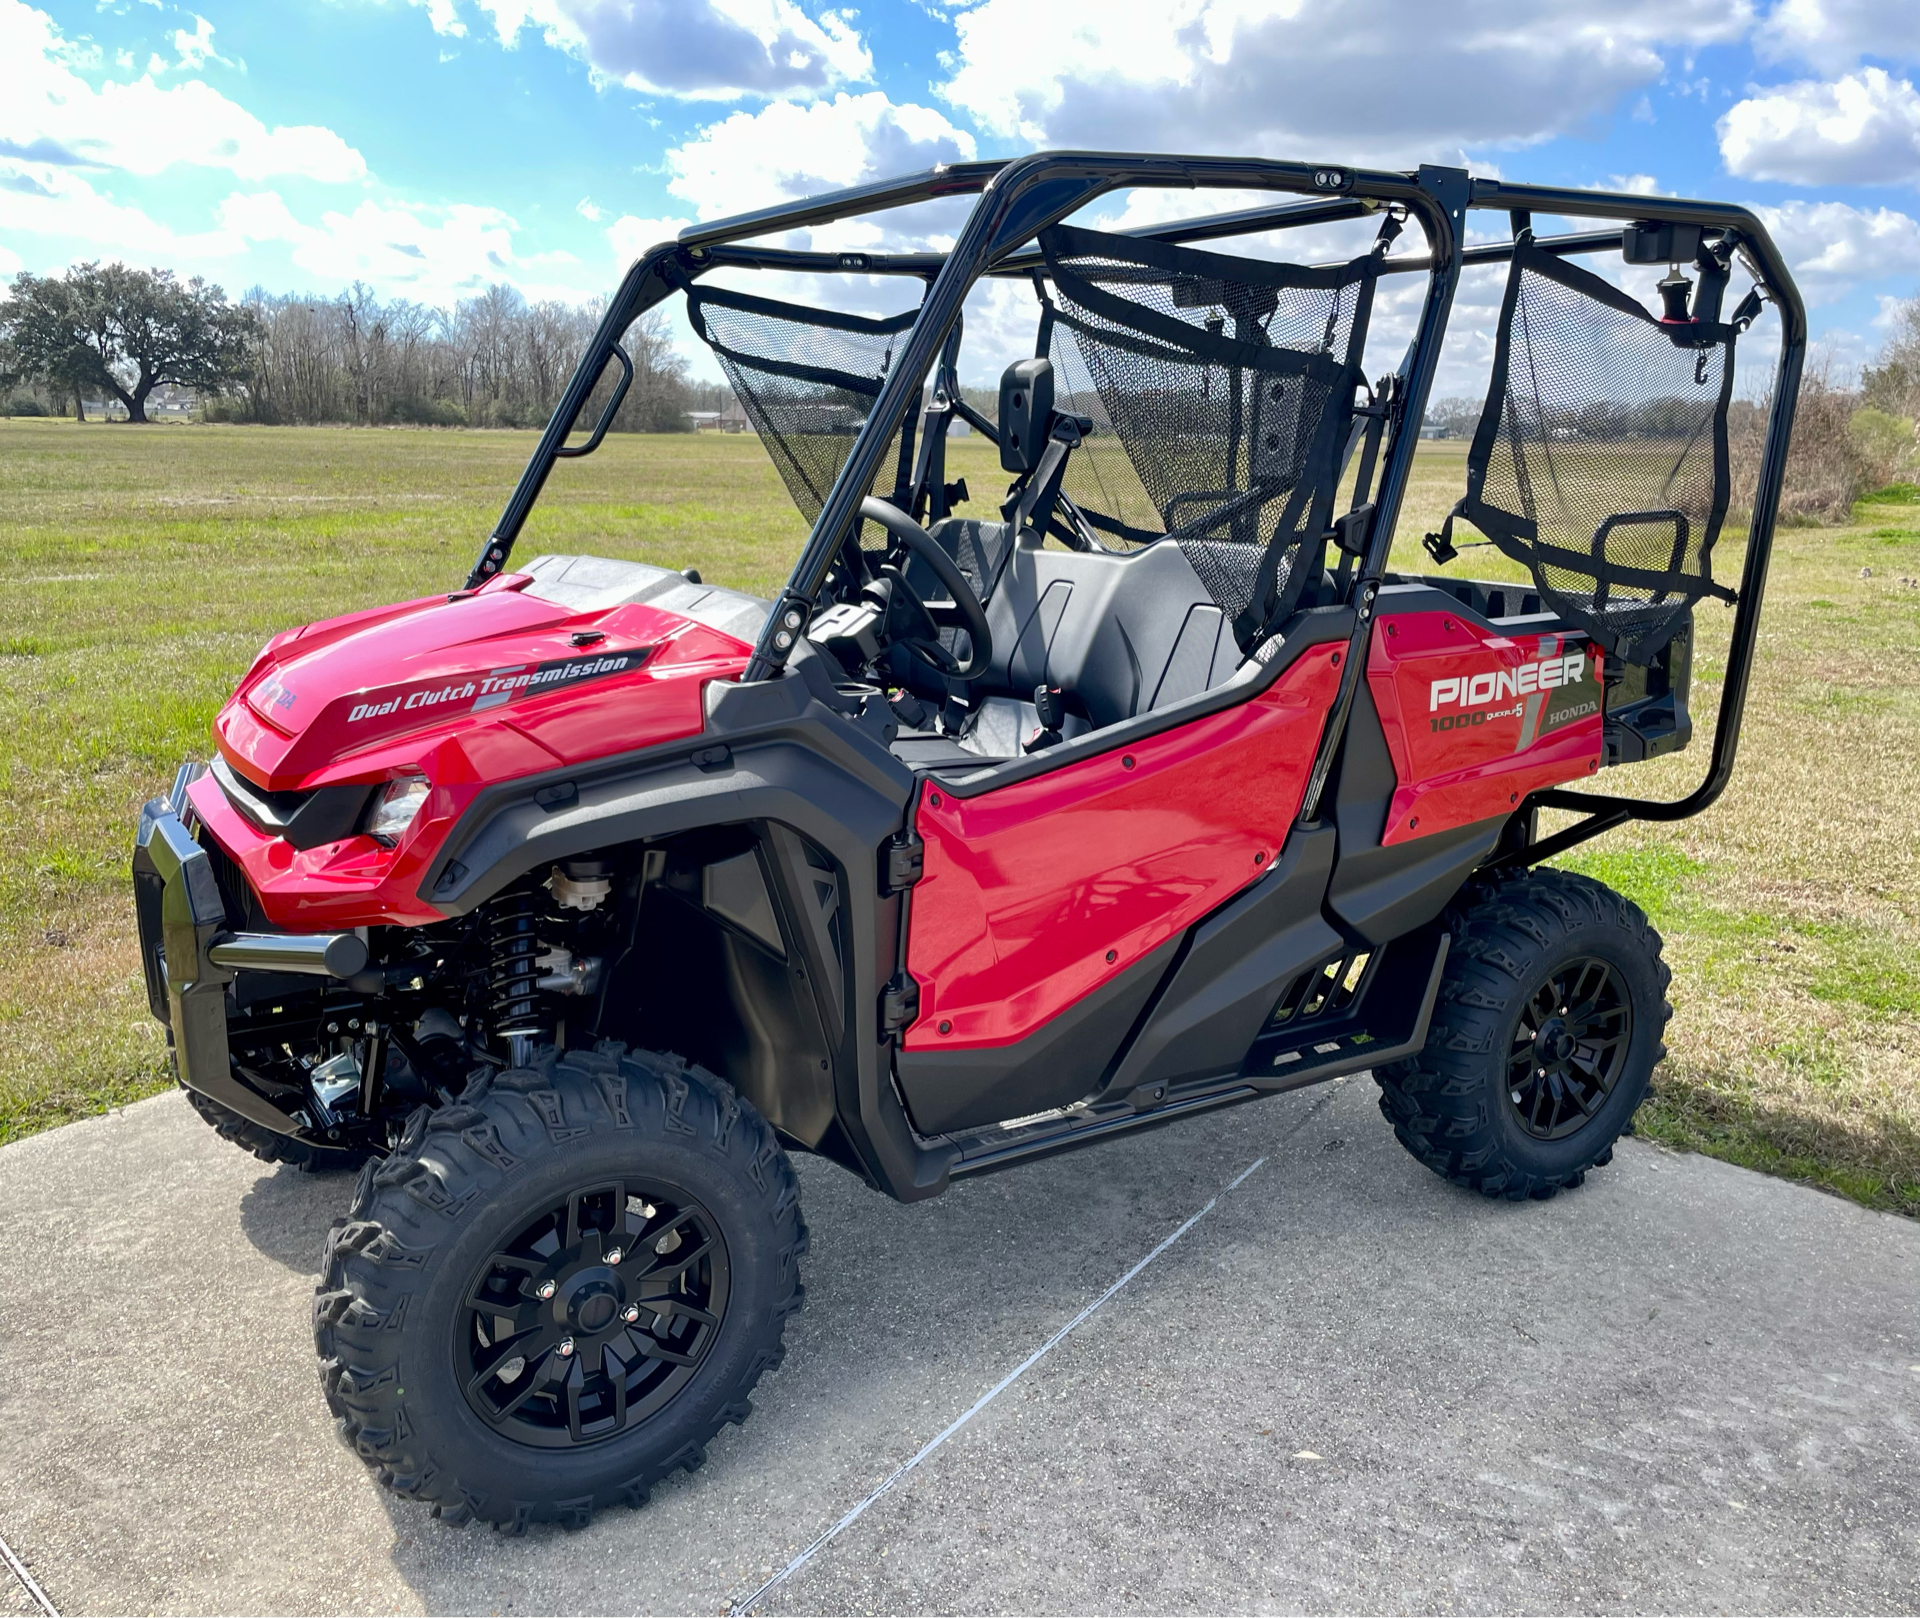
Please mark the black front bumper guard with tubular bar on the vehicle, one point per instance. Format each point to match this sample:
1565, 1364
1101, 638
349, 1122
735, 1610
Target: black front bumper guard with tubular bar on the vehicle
191, 953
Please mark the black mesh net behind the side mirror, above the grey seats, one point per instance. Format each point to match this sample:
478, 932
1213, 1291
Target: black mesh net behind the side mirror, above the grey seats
1220, 394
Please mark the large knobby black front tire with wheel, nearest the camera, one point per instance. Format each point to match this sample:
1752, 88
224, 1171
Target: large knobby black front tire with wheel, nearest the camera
444, 1222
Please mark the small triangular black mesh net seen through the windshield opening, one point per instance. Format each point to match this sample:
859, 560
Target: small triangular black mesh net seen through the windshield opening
807, 379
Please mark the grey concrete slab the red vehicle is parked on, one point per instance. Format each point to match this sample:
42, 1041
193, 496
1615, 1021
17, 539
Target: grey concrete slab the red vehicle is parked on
1345, 1389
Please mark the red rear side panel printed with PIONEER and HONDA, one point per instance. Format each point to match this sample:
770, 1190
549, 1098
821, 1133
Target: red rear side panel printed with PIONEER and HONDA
1476, 723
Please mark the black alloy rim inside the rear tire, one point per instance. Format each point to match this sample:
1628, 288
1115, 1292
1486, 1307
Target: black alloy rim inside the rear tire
1570, 1049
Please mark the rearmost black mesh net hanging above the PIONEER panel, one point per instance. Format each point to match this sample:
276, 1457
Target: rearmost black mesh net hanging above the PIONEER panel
1600, 462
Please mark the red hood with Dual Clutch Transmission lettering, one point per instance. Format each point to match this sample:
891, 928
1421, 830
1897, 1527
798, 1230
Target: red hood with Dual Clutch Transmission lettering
535, 671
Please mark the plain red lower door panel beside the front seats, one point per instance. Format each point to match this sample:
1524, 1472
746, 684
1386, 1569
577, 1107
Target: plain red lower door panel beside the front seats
1038, 893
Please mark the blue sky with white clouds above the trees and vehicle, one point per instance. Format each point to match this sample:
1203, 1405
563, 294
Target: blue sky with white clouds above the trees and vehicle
433, 147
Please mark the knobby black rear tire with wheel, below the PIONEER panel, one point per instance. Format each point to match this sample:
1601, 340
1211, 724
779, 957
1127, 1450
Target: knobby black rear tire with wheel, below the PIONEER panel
1487, 1105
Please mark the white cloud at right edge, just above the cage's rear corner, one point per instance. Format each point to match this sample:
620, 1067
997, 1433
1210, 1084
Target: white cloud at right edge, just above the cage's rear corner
1861, 130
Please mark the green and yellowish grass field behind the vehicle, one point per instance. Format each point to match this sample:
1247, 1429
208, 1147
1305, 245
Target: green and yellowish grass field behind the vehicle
147, 567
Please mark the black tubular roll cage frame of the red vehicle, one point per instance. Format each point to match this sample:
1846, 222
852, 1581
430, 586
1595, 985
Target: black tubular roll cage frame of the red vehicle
1022, 197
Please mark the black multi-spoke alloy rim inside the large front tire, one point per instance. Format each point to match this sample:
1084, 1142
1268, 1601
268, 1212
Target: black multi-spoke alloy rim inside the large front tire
594, 1316
